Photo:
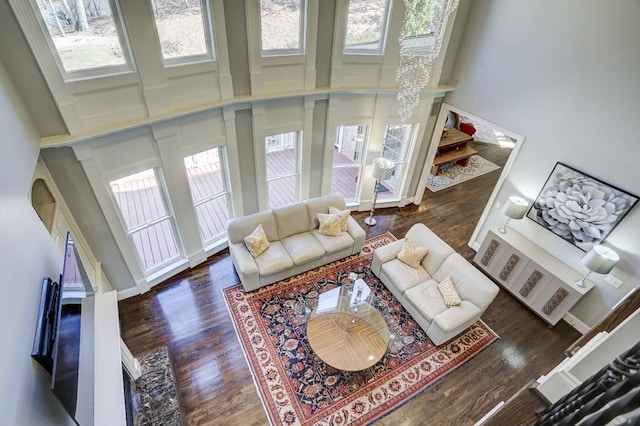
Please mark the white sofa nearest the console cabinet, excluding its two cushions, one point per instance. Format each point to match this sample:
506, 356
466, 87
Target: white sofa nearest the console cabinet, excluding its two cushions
417, 288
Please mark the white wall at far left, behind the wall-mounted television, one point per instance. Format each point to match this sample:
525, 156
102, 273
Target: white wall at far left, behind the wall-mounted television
27, 254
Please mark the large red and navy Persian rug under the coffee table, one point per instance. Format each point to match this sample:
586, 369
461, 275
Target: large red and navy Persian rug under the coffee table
297, 388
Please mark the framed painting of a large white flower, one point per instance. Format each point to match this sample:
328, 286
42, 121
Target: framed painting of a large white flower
578, 207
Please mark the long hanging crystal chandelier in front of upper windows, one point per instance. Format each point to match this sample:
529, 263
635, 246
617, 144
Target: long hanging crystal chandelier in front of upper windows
420, 43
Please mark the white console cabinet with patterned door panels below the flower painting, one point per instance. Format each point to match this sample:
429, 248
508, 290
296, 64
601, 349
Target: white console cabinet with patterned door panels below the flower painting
536, 278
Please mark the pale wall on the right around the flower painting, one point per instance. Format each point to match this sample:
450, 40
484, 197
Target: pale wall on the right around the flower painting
565, 76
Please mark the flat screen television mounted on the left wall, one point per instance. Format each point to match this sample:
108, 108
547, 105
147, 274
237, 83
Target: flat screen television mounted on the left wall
76, 289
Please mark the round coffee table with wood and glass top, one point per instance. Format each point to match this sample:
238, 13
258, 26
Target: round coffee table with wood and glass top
348, 339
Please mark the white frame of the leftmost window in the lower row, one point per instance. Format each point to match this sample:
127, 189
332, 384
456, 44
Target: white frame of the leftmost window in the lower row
169, 216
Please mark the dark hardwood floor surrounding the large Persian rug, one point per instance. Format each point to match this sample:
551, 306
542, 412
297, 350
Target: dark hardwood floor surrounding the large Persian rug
188, 314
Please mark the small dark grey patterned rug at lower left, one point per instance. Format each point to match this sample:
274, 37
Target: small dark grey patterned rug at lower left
154, 396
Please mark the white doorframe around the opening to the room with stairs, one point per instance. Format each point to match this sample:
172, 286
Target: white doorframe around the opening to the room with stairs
431, 153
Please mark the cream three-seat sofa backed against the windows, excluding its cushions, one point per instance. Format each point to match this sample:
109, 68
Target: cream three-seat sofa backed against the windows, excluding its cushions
295, 246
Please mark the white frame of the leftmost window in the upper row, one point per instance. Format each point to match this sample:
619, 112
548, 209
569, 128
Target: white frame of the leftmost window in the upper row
95, 72
